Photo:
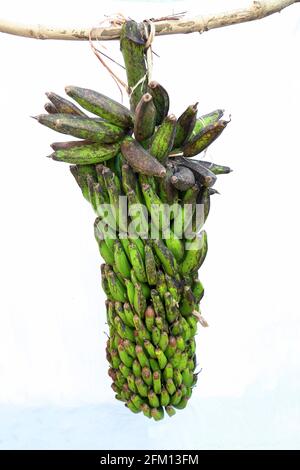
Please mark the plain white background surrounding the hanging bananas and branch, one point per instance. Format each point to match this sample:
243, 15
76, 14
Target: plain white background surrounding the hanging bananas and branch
54, 389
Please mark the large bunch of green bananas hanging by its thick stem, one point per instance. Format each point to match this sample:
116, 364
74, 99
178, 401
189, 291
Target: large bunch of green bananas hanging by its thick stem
143, 156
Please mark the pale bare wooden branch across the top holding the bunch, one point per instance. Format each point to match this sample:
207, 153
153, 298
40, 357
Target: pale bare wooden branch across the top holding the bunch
256, 11
